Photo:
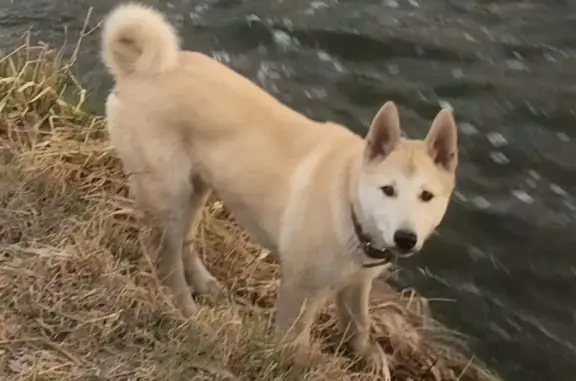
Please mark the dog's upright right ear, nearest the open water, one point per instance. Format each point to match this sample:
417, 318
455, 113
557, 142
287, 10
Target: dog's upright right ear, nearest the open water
442, 140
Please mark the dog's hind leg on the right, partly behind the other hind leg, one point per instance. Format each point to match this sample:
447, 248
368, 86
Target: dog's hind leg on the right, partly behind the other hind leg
197, 275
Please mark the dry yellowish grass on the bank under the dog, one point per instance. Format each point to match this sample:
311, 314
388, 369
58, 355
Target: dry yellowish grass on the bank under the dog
81, 302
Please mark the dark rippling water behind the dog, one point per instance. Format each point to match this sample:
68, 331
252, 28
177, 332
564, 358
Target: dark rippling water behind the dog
505, 252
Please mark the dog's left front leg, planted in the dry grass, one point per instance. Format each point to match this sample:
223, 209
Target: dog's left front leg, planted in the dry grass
297, 305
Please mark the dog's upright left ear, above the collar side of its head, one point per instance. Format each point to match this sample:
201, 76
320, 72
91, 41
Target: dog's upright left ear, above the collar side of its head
384, 132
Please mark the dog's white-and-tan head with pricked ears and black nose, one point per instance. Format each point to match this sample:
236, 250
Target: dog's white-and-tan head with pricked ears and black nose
405, 185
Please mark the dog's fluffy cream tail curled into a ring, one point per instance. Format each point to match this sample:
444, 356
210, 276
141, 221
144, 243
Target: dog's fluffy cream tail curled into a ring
138, 40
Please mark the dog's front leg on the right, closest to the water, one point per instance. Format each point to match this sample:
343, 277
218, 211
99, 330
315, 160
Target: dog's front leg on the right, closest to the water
353, 314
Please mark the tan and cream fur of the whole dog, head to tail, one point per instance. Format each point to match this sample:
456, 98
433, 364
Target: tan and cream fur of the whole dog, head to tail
184, 124
